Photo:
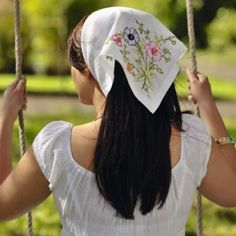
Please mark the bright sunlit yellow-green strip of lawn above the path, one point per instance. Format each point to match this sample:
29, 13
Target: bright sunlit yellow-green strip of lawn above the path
221, 88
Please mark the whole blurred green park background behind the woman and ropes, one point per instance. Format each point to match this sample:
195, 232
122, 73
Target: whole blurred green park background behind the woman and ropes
45, 28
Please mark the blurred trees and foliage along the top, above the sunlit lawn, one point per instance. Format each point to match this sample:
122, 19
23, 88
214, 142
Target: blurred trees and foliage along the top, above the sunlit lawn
46, 26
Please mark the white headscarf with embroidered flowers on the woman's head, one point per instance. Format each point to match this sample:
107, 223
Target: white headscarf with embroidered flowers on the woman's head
147, 51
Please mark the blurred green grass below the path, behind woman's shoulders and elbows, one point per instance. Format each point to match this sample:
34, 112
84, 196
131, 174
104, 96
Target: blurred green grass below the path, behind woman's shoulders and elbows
217, 221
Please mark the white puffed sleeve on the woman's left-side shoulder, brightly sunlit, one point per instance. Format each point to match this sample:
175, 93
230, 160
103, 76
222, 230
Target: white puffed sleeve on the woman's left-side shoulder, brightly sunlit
47, 147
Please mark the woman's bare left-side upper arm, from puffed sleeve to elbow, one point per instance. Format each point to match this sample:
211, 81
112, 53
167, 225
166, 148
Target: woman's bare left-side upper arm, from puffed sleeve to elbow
24, 188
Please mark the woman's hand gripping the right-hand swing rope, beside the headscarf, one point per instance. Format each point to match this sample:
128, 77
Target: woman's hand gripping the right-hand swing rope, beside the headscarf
199, 88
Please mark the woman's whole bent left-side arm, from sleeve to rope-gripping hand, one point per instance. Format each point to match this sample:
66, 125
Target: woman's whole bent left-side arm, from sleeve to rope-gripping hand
25, 186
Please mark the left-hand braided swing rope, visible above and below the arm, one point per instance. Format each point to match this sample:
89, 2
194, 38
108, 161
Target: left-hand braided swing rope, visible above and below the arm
18, 57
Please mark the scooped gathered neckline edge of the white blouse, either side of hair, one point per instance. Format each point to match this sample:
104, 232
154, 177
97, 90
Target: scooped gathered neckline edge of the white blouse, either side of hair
92, 174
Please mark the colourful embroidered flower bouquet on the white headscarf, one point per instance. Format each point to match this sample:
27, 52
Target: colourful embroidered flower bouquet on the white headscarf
149, 49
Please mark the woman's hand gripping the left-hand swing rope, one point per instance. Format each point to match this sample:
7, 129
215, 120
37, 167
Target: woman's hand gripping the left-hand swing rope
14, 100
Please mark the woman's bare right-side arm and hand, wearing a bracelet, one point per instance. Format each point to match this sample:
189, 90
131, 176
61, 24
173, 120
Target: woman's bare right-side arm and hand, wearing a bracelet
219, 184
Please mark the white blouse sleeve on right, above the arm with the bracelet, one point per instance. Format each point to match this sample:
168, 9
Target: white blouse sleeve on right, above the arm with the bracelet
199, 144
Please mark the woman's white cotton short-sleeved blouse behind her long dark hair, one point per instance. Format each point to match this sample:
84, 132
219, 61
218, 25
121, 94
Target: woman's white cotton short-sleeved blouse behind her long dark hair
84, 212
